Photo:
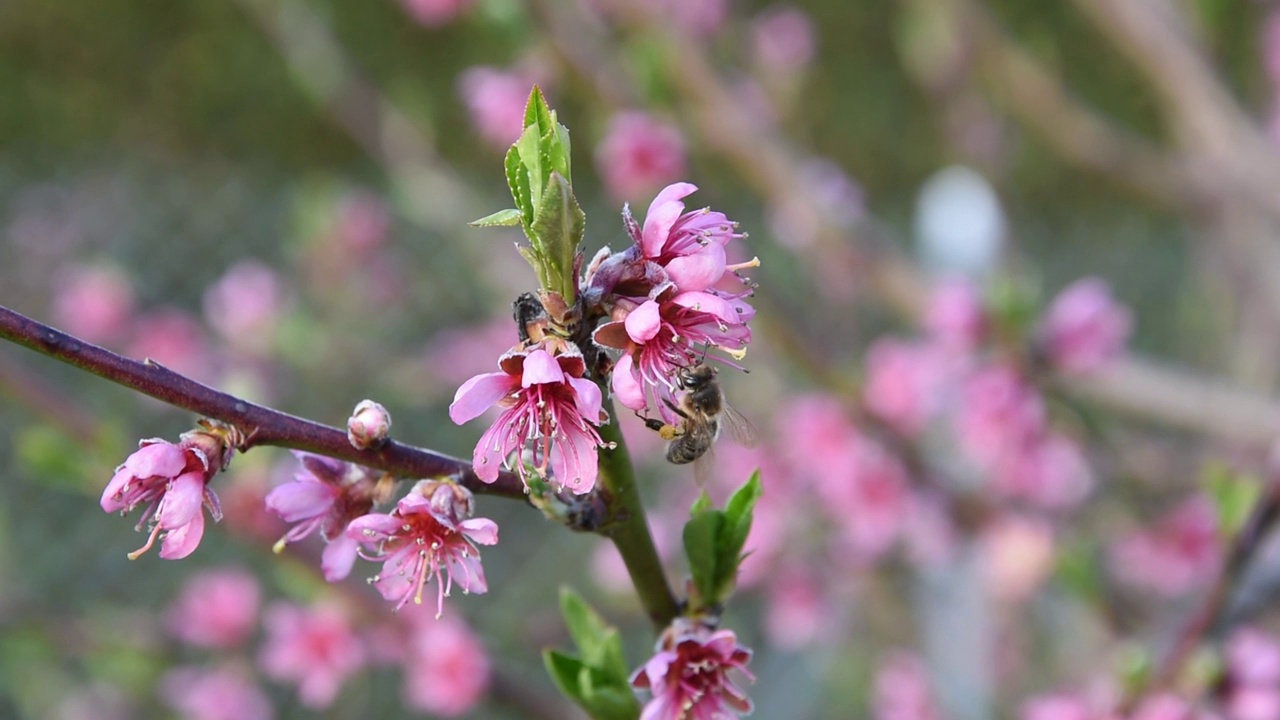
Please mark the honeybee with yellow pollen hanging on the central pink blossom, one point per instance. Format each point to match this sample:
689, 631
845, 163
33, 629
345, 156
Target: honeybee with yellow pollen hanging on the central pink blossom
703, 412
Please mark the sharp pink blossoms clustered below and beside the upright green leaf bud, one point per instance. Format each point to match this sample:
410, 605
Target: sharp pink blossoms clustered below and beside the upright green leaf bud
669, 300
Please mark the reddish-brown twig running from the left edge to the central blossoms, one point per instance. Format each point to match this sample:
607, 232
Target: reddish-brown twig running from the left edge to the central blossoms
263, 426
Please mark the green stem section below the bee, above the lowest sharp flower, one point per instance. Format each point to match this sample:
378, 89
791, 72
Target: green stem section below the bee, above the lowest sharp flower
629, 530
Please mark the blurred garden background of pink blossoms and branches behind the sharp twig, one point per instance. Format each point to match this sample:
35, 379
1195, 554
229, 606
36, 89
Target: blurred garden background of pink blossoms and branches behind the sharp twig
272, 197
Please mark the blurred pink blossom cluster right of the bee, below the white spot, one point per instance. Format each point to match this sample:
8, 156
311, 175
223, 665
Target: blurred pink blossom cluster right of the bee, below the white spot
996, 414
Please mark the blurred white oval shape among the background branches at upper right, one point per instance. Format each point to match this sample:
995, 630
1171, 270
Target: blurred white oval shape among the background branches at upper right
959, 225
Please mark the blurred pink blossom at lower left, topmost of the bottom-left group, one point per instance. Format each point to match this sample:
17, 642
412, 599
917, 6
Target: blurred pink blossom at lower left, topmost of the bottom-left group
217, 609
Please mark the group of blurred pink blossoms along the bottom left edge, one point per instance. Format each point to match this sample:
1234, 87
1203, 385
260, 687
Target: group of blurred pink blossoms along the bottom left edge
318, 649
